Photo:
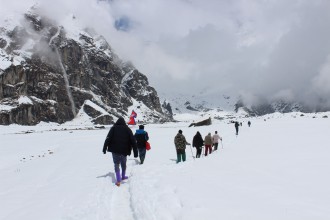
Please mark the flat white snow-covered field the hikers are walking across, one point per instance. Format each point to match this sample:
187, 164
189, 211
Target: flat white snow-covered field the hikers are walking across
276, 169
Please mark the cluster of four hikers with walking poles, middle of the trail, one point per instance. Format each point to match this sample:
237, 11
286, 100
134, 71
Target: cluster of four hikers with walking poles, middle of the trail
198, 142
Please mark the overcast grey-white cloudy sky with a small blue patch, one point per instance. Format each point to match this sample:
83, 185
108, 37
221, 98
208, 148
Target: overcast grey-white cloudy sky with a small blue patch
269, 48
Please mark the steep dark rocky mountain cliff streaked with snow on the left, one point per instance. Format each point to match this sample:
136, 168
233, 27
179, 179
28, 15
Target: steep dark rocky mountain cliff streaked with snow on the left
50, 74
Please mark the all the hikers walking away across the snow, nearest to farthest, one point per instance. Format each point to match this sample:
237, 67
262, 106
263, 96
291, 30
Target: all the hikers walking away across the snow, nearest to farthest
120, 141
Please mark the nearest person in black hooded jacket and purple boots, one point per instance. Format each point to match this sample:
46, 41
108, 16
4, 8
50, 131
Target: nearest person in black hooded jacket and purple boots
120, 141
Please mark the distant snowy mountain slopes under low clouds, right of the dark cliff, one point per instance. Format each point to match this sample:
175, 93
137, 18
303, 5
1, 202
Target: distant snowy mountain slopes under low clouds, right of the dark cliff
223, 106
